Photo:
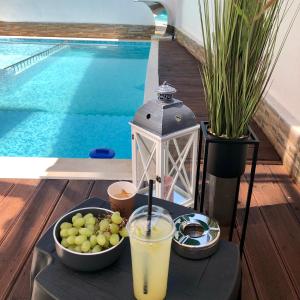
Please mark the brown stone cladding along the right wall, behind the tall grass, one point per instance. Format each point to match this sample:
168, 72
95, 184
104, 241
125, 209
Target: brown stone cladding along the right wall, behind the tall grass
279, 129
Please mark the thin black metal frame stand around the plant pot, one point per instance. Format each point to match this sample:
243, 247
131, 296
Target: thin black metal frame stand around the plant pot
252, 140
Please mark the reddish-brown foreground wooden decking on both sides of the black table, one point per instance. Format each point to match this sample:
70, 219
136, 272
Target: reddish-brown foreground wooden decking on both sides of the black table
271, 264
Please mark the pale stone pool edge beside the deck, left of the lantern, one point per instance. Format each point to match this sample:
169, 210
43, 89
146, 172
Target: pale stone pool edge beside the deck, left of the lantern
65, 168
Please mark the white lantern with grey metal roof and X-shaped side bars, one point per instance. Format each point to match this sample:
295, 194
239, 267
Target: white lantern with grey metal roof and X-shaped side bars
164, 148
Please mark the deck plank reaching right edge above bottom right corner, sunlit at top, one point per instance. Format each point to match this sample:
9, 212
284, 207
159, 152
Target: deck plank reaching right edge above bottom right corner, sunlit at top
281, 222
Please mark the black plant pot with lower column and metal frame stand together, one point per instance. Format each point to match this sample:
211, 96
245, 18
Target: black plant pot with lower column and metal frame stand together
224, 162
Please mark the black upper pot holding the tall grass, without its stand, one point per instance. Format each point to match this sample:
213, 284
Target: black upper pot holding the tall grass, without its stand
226, 157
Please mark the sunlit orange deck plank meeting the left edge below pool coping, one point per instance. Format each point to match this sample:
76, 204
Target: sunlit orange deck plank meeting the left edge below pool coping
13, 204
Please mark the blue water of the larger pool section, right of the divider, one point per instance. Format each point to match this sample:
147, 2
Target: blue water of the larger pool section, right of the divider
80, 98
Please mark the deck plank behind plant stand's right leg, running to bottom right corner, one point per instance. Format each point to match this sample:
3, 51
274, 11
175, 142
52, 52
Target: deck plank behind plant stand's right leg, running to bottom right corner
270, 277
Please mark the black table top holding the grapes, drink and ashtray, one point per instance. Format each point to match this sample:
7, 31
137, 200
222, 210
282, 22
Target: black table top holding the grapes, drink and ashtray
217, 277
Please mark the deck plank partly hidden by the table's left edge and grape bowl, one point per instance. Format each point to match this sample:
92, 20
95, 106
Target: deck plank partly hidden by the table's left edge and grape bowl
75, 192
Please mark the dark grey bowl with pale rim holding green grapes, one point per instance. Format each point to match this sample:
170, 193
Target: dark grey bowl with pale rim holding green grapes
85, 261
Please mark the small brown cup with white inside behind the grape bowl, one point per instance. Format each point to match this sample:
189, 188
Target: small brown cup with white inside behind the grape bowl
121, 197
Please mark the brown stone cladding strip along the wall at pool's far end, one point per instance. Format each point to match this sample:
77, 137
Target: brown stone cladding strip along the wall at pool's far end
103, 31
